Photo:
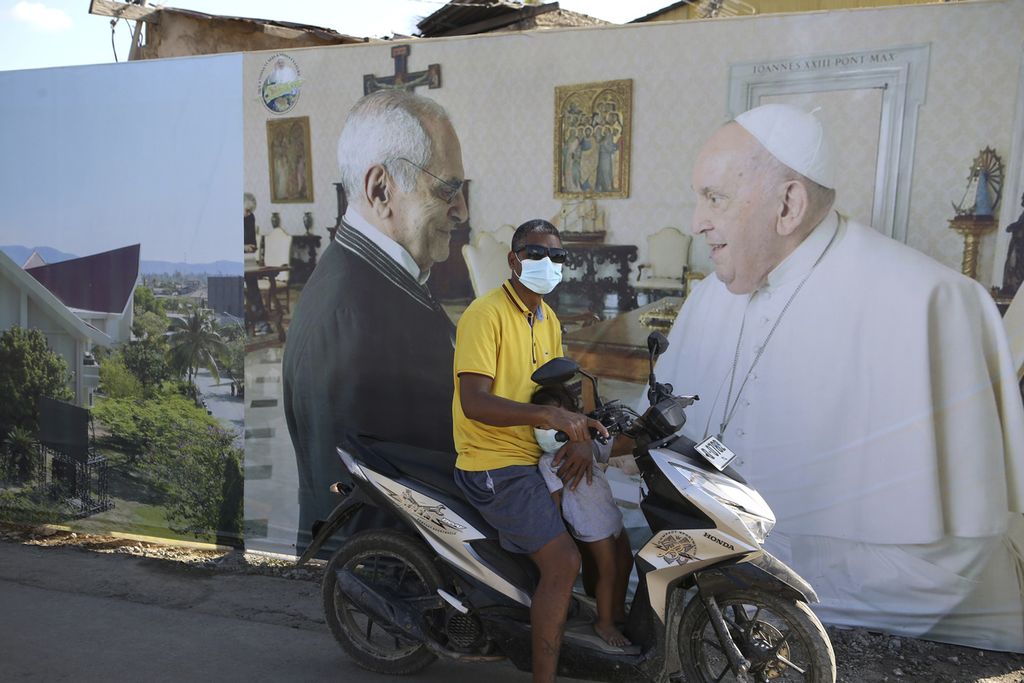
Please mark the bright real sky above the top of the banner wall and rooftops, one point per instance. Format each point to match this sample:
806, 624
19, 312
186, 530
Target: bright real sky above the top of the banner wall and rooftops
61, 33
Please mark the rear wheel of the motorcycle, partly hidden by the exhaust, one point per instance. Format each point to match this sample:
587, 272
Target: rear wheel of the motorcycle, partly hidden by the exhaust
398, 563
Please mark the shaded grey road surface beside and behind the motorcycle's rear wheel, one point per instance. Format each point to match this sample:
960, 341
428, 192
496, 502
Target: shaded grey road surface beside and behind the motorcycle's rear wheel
71, 615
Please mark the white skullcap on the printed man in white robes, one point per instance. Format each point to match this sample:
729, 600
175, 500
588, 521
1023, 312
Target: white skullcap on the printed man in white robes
794, 138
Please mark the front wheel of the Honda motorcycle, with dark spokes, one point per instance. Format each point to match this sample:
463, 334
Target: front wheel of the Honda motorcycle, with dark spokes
782, 637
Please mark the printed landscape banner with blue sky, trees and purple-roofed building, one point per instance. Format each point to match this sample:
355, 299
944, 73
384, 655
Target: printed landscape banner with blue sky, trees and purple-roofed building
122, 340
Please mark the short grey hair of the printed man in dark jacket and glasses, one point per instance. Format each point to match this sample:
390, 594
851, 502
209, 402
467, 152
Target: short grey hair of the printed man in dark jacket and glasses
382, 127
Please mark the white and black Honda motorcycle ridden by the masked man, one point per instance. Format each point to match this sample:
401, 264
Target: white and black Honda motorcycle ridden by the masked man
710, 605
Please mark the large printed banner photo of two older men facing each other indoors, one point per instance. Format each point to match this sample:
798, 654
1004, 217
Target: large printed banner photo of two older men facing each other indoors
355, 298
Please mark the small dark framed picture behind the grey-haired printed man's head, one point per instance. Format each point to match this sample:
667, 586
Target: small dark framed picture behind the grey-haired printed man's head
290, 158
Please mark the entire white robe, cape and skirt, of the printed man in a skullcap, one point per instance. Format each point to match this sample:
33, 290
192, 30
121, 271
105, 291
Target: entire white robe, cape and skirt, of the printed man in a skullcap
883, 424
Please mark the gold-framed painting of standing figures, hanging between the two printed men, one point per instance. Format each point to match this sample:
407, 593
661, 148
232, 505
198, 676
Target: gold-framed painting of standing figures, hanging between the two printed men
592, 140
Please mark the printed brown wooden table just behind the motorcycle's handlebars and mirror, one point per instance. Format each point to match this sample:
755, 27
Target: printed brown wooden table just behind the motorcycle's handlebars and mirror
618, 348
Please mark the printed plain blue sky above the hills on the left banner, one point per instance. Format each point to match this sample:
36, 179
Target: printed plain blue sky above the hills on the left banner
146, 153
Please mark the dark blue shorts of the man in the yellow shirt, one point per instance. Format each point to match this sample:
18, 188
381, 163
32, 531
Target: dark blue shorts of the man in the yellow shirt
516, 501
